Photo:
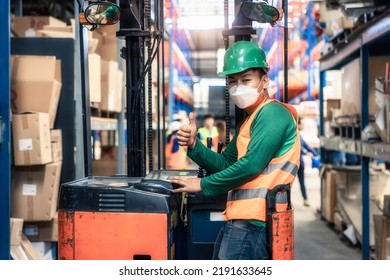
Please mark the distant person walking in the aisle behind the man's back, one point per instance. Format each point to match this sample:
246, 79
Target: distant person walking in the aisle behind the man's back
305, 150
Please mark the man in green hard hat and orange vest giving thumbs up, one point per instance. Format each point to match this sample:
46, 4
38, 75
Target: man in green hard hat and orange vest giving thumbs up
263, 153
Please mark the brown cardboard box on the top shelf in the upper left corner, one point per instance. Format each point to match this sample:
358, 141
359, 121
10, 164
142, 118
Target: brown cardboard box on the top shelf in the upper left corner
21, 24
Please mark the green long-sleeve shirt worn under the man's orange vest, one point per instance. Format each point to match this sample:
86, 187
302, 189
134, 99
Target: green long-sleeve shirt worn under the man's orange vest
273, 133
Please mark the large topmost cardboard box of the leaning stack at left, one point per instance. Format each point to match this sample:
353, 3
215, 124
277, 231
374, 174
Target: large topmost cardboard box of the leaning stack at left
36, 91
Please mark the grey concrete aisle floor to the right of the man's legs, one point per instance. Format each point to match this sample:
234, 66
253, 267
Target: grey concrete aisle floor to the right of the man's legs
315, 239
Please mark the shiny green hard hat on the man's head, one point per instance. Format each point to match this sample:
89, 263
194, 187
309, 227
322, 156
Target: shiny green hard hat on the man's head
242, 56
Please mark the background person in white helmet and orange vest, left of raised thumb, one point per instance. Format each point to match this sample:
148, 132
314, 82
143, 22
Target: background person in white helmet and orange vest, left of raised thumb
176, 156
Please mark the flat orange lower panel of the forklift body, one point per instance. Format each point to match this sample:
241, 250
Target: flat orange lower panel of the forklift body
113, 236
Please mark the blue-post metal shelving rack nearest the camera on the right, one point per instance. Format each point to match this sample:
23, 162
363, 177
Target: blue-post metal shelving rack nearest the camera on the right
367, 40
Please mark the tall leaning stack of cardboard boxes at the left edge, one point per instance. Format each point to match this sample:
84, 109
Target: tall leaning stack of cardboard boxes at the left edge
37, 147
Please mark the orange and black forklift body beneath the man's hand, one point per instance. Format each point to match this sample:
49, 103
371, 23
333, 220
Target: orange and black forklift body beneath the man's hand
116, 218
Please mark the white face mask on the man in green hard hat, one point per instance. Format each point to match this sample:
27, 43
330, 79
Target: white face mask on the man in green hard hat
244, 96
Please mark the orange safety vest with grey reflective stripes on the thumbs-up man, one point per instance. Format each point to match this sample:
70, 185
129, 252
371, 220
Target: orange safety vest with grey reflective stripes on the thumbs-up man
248, 202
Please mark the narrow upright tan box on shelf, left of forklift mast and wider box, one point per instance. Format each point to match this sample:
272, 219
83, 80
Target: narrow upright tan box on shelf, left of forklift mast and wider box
94, 66
